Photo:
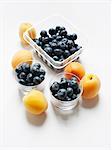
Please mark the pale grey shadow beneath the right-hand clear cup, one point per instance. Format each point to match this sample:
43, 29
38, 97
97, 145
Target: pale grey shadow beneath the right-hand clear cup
66, 114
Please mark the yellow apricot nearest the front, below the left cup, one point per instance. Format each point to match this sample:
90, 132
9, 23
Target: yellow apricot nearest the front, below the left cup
35, 102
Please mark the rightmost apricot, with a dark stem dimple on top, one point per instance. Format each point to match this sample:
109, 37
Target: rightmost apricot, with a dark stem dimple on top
91, 86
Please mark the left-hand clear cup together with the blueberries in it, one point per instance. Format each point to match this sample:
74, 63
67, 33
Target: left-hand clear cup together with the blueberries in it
30, 75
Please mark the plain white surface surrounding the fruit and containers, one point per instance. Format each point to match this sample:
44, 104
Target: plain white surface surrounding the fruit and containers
86, 127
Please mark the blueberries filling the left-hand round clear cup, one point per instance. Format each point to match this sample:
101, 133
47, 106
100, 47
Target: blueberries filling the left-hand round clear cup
30, 75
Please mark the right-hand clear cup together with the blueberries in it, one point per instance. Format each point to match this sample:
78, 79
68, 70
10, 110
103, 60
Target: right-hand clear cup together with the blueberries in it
66, 91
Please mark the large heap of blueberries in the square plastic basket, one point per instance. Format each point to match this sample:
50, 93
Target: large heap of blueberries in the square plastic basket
57, 43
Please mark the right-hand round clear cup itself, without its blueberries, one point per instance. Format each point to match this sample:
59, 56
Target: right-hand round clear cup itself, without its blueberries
65, 105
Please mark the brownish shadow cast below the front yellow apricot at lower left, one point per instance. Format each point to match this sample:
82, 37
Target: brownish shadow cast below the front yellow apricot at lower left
36, 120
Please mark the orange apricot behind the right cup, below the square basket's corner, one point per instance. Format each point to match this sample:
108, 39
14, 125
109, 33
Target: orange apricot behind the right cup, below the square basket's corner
75, 68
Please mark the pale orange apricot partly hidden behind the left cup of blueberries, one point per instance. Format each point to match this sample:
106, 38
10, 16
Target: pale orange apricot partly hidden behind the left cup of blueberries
21, 56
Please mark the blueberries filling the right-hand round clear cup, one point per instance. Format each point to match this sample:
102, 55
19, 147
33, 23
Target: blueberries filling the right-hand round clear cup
66, 89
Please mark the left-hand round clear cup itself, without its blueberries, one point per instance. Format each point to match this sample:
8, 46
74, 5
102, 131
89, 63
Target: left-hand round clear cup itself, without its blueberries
24, 89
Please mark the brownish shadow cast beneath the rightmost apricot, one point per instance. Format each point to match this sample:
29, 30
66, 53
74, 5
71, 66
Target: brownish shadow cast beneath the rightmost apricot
90, 103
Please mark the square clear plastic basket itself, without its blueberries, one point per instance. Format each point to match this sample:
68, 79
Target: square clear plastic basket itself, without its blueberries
50, 22
